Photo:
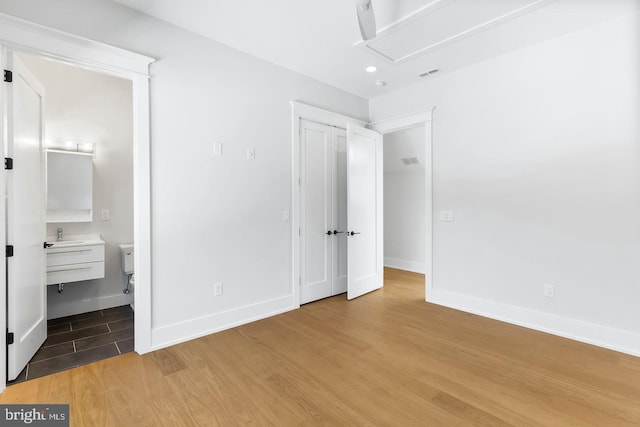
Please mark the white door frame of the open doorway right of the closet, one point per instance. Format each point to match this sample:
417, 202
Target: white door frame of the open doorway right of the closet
394, 124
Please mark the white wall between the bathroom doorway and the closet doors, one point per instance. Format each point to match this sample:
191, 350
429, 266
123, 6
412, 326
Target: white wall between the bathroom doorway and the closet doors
213, 219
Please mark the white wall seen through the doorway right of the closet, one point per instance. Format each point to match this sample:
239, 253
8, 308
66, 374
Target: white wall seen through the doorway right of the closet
404, 203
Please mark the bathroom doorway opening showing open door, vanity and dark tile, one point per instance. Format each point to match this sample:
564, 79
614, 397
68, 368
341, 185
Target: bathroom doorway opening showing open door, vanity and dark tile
86, 116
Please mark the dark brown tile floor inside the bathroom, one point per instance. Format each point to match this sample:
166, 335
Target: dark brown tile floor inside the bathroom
80, 339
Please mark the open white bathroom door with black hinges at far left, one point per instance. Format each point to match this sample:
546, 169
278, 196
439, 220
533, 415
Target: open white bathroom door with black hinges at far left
26, 228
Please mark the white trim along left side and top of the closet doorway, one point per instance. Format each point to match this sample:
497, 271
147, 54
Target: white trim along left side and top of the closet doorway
300, 111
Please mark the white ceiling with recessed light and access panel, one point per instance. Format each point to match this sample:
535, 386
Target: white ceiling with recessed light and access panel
320, 38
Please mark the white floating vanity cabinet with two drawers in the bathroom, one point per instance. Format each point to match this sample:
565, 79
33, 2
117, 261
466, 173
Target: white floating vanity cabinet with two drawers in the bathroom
75, 260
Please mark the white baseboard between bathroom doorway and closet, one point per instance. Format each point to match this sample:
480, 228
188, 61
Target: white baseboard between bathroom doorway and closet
176, 333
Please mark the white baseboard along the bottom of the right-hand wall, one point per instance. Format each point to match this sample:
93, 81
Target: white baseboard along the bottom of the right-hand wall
590, 333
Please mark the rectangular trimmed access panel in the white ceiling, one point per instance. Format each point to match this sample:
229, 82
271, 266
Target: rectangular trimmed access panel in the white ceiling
443, 22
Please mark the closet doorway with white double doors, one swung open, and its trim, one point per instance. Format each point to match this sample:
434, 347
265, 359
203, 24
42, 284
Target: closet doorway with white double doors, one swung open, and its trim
337, 206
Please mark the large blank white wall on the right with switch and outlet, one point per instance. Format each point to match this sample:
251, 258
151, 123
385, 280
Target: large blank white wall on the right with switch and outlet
538, 154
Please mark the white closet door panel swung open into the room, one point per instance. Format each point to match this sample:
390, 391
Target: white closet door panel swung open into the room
364, 211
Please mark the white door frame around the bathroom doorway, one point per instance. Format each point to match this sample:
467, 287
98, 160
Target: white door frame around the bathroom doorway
20, 35
